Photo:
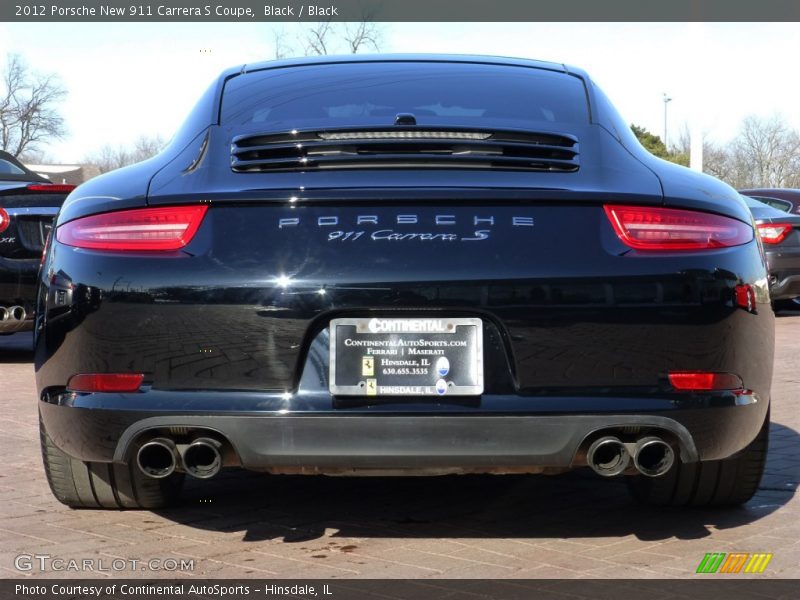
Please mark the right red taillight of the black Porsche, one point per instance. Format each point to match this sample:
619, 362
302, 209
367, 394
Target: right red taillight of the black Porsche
650, 228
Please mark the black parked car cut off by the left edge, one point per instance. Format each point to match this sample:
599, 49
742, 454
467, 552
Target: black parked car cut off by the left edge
28, 204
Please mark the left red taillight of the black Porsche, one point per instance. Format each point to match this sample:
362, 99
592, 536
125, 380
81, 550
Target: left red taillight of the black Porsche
169, 228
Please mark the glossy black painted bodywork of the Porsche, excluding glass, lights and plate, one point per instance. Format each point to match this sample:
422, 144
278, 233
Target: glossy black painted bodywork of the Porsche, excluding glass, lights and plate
231, 330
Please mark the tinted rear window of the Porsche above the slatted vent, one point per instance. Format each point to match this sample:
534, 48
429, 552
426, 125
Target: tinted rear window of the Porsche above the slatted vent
355, 94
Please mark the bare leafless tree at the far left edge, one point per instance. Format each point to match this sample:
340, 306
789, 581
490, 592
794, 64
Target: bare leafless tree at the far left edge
29, 112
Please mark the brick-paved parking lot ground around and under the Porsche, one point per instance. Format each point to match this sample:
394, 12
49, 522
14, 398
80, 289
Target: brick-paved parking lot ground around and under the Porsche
249, 525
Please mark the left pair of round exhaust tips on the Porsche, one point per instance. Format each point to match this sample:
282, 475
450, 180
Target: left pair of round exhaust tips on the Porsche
160, 458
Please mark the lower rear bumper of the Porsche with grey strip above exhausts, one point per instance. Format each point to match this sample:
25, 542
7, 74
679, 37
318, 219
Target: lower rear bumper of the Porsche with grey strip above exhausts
551, 433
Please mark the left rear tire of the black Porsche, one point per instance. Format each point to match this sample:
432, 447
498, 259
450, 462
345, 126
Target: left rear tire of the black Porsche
81, 484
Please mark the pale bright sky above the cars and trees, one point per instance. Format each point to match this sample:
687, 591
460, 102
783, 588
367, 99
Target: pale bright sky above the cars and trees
130, 79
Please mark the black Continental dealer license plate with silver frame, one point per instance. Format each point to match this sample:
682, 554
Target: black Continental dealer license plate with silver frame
406, 357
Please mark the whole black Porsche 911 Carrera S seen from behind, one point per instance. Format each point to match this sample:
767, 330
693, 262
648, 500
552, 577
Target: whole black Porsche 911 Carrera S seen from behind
412, 265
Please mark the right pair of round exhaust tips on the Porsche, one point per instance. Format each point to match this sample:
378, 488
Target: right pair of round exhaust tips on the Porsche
609, 456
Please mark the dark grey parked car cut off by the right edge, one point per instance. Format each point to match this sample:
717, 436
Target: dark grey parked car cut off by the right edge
780, 234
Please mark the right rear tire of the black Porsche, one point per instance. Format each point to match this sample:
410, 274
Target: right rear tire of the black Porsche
729, 482
